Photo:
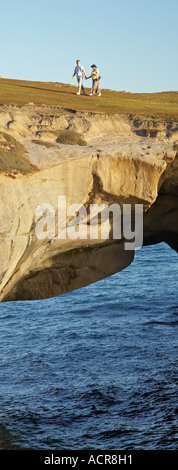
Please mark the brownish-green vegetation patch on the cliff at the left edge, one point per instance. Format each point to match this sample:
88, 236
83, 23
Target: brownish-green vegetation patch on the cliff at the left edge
13, 156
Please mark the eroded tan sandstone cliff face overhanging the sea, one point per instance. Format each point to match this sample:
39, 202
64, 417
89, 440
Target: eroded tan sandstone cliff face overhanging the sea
117, 166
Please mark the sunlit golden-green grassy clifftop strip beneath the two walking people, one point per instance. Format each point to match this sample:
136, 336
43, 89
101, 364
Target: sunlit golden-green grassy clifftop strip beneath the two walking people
157, 105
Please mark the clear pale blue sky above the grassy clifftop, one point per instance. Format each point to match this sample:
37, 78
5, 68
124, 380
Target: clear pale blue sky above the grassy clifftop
134, 43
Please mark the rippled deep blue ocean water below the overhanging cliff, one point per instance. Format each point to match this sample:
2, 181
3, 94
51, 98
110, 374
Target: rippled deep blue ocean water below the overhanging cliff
96, 368
